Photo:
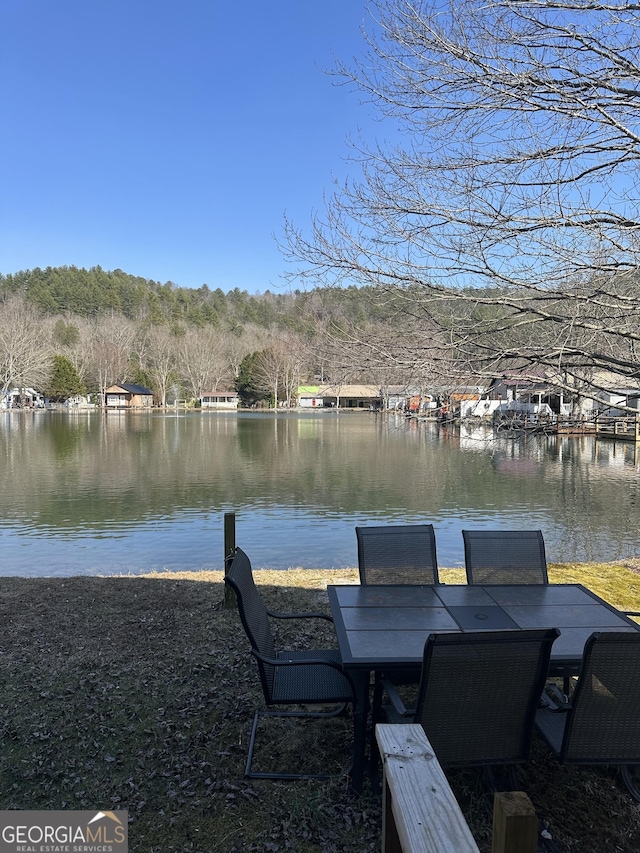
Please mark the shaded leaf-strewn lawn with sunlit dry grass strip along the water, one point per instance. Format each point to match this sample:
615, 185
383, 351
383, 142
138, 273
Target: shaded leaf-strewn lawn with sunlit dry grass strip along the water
138, 693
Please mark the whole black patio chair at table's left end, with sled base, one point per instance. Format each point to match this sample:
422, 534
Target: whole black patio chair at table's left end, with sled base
291, 677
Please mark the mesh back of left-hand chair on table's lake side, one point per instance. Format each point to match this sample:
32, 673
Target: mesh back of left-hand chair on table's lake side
400, 553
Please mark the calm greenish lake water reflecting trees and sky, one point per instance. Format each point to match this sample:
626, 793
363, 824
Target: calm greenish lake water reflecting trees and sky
95, 493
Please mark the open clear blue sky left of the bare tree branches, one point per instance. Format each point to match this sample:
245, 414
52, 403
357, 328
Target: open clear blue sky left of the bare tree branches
168, 138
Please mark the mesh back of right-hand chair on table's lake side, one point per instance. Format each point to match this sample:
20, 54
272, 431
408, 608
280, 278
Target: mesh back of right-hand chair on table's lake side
505, 556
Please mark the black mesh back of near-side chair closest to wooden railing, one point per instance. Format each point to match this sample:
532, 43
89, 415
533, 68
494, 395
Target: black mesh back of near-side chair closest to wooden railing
479, 692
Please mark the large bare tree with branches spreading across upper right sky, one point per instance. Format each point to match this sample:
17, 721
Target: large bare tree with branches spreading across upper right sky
505, 210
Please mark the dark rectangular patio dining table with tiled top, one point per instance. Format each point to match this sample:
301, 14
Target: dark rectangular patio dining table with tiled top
385, 627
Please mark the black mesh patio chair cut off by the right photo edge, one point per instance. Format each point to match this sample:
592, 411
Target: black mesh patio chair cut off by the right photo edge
601, 724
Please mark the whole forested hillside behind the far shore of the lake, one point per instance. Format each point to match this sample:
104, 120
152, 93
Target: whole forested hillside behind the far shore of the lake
67, 331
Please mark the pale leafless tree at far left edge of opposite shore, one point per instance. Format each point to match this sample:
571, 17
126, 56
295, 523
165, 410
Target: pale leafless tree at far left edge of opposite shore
25, 350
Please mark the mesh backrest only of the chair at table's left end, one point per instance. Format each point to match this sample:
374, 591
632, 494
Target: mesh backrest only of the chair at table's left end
254, 616
